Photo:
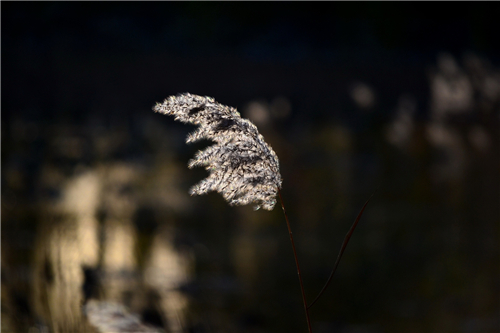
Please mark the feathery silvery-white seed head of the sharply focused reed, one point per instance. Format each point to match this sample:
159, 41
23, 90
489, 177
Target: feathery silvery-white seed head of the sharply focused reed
243, 167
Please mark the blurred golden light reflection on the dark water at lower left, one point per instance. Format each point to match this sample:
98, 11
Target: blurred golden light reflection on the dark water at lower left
80, 260
